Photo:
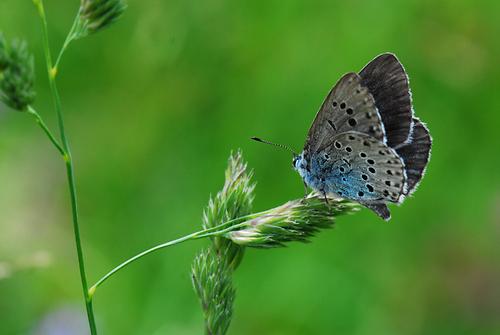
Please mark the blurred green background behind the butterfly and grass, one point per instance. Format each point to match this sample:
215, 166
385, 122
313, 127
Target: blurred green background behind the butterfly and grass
155, 104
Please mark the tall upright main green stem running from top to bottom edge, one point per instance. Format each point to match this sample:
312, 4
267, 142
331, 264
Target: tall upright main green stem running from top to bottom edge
69, 167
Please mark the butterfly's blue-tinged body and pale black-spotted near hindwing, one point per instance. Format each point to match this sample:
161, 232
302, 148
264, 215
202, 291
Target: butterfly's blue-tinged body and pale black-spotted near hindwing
346, 168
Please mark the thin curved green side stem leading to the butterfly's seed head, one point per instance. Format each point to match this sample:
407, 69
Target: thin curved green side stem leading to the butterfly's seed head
214, 231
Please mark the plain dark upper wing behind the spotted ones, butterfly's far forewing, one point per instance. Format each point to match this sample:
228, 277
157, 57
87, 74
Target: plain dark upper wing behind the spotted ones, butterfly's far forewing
387, 81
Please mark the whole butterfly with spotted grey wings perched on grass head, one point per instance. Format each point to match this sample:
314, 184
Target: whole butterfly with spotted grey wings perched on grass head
365, 143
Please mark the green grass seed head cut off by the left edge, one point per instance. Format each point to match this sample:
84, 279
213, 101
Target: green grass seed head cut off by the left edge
17, 77
